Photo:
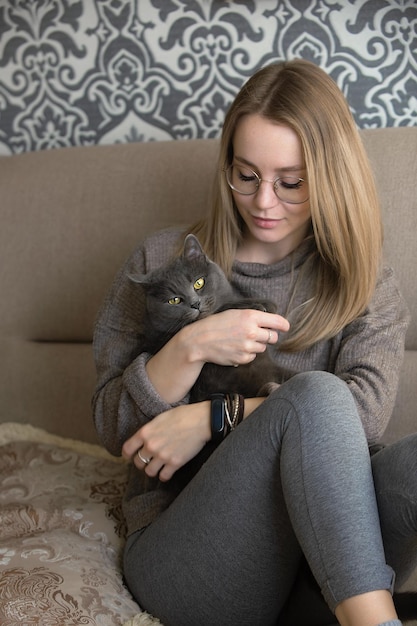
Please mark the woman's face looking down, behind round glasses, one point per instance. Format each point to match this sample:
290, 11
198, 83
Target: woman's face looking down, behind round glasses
273, 227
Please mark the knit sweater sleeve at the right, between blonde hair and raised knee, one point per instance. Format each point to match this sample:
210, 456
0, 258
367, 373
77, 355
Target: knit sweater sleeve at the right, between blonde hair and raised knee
371, 353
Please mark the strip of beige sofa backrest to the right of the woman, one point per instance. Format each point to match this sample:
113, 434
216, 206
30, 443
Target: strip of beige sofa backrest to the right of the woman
393, 154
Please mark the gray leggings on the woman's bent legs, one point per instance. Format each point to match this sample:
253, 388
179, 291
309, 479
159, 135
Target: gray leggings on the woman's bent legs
294, 478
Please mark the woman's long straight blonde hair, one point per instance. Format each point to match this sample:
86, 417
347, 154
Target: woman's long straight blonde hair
345, 213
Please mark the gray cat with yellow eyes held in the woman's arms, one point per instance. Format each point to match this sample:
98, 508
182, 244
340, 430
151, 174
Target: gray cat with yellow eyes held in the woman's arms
190, 288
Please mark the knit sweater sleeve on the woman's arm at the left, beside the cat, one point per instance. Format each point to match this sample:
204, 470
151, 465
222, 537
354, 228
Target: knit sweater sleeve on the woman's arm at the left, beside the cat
124, 397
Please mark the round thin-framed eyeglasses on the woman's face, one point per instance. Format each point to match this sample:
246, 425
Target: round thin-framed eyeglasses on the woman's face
247, 182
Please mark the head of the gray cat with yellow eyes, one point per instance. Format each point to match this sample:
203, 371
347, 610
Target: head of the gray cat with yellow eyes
188, 288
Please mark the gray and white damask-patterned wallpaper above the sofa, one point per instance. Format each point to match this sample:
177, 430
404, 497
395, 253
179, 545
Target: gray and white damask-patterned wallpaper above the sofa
78, 72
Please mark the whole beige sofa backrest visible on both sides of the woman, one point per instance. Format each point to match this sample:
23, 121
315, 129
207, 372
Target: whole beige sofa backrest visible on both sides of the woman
69, 219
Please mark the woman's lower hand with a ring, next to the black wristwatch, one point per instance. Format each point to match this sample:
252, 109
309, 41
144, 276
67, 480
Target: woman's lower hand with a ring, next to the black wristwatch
170, 440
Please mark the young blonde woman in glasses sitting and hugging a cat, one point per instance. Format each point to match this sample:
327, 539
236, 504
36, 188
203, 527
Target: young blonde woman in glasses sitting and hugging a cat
296, 220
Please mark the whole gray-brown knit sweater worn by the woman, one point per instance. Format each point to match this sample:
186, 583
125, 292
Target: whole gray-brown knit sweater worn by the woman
367, 354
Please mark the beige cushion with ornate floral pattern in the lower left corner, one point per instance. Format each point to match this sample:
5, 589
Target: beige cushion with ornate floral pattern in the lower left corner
61, 533
